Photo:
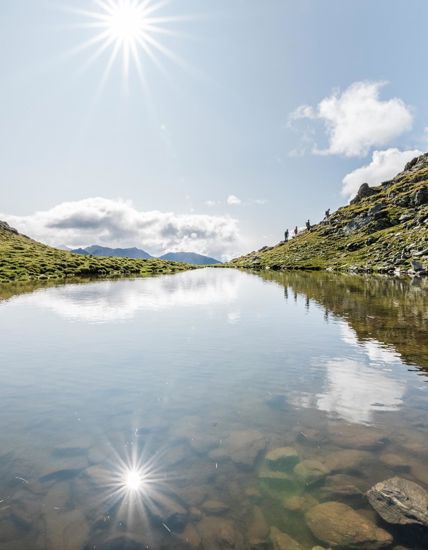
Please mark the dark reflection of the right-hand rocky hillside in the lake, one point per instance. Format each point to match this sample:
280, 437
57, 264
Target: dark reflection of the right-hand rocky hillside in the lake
387, 317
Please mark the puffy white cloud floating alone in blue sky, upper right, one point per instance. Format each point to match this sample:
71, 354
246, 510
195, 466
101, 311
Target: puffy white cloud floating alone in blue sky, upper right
357, 119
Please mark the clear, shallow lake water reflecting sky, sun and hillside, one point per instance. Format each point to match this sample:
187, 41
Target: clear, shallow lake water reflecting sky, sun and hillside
137, 414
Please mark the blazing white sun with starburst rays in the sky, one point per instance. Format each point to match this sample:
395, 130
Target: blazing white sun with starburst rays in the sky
130, 30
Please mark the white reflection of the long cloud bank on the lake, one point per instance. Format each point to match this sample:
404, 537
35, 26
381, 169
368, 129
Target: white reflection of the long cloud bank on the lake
109, 301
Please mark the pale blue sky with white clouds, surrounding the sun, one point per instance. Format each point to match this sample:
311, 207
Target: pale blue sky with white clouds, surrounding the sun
270, 106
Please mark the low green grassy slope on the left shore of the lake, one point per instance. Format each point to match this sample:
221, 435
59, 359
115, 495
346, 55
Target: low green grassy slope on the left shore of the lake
22, 259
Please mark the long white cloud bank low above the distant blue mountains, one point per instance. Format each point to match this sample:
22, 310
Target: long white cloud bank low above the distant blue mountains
119, 223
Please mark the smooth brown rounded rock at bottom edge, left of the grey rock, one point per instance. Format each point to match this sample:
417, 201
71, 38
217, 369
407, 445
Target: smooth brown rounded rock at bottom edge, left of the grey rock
338, 525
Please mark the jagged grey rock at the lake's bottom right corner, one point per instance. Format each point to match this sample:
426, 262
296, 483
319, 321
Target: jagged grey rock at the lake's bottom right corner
400, 501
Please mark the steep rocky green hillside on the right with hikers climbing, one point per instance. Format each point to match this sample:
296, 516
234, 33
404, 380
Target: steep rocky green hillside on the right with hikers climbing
384, 229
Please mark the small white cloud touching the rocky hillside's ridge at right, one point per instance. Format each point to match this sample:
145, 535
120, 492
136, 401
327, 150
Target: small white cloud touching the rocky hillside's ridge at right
383, 166
